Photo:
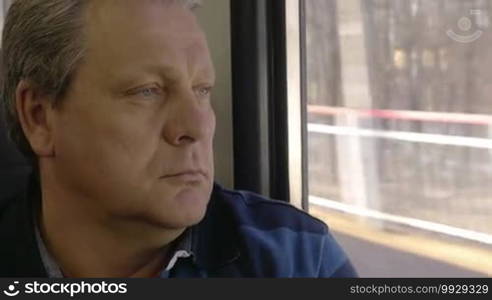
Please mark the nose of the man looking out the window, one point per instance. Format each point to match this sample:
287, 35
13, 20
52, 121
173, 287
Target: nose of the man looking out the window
189, 120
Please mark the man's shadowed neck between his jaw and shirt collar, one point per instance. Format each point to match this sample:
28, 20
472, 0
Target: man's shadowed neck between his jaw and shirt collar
84, 243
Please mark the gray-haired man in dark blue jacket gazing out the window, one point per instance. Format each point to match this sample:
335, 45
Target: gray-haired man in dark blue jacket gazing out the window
110, 100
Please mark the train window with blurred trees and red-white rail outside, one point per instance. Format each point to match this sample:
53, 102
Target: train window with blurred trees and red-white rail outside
399, 128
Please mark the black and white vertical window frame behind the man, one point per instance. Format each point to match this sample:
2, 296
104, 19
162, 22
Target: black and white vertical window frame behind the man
264, 134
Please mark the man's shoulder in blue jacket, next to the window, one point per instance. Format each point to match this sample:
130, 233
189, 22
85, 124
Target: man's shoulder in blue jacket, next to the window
282, 240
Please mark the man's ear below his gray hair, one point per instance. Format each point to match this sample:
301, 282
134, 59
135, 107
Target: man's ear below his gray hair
35, 114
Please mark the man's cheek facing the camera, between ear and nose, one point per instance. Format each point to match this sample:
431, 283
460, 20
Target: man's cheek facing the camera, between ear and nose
107, 142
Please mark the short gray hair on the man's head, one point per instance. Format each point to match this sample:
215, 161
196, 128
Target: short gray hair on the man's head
43, 43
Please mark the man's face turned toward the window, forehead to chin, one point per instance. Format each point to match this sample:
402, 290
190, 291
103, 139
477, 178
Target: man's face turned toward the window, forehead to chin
134, 136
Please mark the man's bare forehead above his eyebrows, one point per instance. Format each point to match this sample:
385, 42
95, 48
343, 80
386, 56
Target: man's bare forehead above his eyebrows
144, 32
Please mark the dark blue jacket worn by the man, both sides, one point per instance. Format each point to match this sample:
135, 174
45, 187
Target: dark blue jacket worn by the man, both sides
241, 235
